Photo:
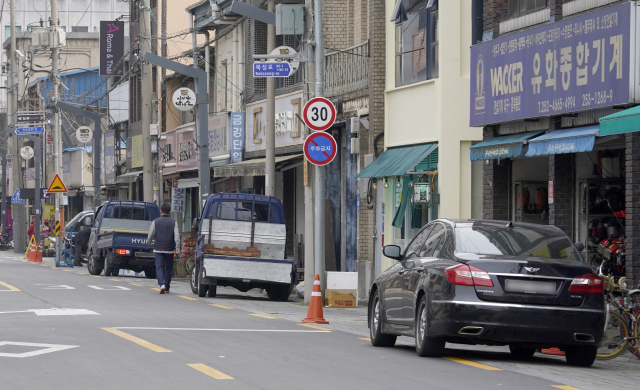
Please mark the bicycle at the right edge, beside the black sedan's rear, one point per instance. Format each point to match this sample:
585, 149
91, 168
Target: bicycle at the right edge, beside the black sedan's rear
623, 318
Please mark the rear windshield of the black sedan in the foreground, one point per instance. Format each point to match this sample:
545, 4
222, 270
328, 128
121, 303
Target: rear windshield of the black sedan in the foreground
498, 239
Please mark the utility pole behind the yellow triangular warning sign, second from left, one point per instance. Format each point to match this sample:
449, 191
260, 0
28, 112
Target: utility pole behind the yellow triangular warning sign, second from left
57, 137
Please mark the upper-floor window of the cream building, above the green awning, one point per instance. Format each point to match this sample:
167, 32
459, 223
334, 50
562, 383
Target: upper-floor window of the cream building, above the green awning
416, 41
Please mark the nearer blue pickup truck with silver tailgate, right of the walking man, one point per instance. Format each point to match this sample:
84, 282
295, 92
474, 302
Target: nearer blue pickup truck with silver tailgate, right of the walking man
241, 244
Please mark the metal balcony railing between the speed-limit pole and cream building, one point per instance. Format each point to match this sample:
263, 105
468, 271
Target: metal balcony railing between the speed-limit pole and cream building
346, 71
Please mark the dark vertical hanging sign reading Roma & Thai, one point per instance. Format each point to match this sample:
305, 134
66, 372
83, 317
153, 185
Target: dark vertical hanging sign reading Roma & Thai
111, 48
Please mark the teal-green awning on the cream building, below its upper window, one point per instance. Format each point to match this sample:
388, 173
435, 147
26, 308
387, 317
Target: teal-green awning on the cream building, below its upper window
398, 161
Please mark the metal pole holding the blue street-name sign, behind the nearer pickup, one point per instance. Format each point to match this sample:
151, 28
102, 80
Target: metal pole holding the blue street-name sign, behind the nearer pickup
270, 154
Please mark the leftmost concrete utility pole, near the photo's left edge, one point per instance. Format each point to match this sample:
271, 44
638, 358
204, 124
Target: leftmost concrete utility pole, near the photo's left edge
17, 210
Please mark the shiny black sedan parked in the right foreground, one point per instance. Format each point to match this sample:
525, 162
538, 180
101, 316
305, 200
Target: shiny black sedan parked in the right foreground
493, 283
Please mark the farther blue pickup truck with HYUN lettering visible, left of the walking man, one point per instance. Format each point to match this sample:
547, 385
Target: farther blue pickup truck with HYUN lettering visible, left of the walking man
119, 238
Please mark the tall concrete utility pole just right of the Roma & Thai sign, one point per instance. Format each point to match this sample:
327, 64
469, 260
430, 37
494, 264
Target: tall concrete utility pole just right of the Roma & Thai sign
148, 181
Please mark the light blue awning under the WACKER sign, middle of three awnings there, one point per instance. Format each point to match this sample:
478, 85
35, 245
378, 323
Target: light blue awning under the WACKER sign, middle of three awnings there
576, 140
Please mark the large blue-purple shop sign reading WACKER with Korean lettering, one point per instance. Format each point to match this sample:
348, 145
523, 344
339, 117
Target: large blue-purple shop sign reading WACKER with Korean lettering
576, 64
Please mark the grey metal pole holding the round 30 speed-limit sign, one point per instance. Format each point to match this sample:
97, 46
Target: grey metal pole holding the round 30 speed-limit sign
319, 170
